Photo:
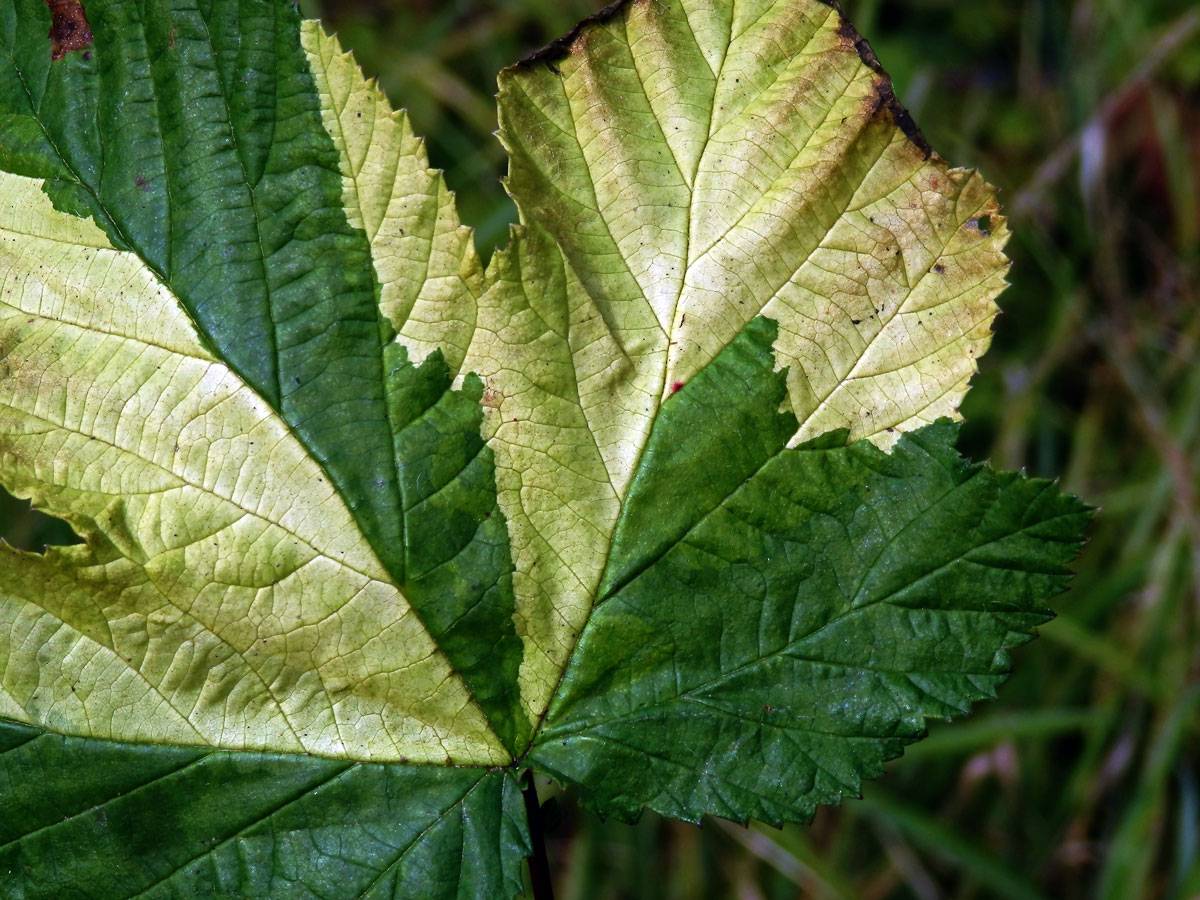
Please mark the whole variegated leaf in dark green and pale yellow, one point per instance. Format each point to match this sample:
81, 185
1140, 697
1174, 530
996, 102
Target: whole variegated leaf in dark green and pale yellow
369, 529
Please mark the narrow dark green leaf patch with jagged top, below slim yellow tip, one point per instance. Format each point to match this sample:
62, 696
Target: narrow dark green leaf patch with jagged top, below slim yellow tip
459, 565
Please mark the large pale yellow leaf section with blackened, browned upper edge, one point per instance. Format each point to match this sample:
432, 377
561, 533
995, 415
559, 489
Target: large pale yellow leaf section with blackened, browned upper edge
682, 170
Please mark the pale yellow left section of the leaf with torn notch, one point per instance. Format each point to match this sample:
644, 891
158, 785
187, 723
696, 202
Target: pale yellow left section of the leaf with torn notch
226, 596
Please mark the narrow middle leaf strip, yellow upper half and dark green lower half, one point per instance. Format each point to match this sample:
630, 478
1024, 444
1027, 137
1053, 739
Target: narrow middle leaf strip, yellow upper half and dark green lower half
457, 567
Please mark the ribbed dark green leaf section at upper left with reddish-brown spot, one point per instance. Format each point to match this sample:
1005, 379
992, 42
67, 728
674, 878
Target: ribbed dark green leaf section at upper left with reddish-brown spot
194, 133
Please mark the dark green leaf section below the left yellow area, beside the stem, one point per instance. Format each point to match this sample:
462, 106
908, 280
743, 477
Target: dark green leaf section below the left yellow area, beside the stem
99, 820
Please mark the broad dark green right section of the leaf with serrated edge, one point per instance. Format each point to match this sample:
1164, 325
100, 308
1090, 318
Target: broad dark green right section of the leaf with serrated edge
778, 623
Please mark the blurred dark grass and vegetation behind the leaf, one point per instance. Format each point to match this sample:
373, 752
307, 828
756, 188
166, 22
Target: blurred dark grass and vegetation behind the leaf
1083, 781
